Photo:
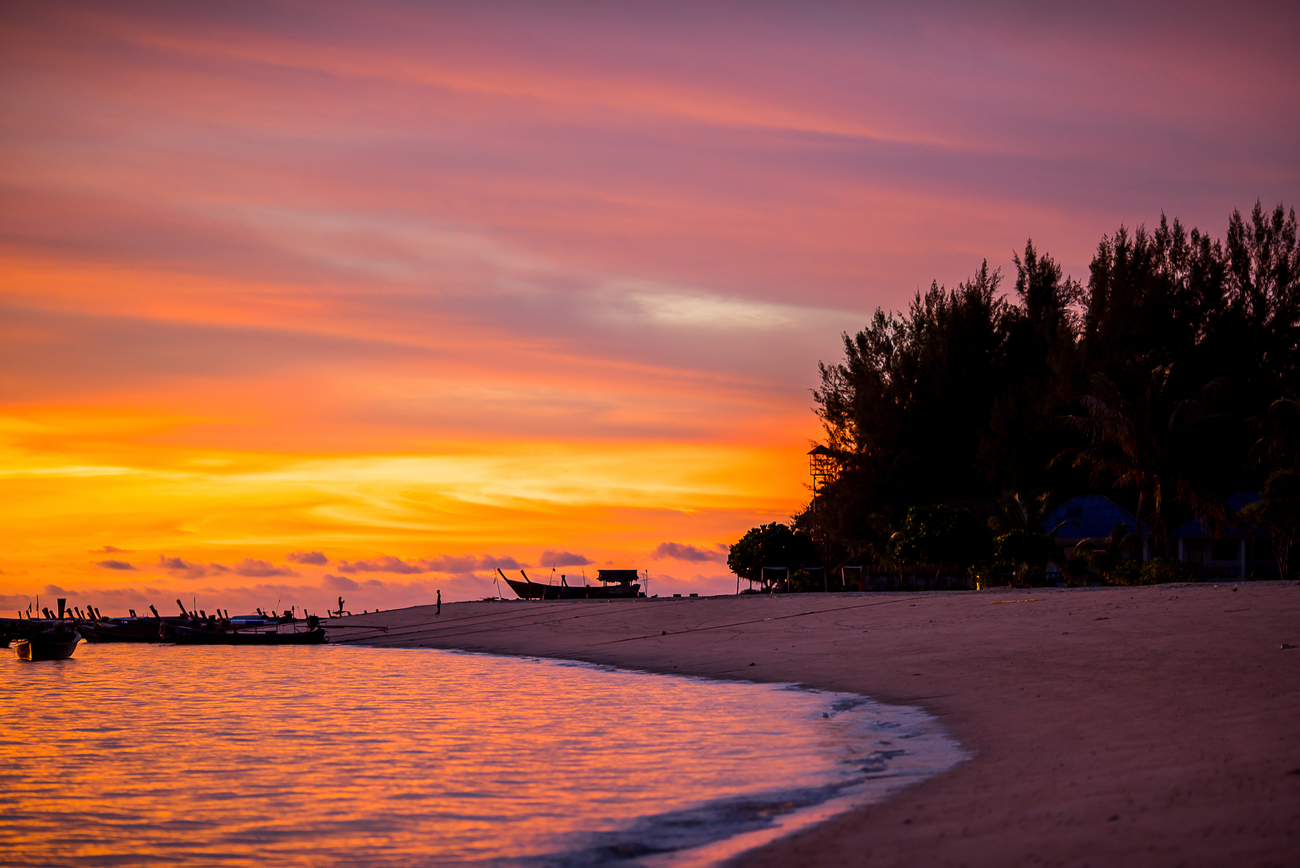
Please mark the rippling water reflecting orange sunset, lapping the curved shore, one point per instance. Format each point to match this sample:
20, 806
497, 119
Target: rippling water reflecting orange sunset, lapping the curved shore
372, 757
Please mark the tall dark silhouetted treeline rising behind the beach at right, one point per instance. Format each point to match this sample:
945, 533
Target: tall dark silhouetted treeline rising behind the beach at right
1168, 381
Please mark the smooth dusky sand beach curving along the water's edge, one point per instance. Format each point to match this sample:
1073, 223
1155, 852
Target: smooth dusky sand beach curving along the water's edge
1110, 726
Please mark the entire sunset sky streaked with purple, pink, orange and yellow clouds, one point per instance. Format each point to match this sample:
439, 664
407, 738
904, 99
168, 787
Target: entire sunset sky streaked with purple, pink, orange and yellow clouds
304, 301
